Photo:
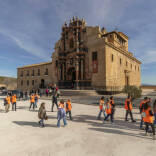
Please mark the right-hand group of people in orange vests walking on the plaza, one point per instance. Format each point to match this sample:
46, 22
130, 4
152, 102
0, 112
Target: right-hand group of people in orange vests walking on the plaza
148, 114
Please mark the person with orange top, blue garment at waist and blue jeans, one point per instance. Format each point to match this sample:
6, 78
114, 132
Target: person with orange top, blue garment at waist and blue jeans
61, 114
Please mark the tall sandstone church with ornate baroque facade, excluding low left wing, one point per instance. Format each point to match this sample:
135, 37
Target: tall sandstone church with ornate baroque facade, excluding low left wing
90, 57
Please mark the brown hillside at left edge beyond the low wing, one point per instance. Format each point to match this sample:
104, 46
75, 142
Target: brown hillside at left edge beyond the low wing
9, 82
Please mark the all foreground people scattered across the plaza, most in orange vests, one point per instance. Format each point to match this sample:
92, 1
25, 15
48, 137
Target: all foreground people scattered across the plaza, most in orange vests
106, 106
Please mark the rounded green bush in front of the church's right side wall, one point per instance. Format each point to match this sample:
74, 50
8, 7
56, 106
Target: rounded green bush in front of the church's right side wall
133, 91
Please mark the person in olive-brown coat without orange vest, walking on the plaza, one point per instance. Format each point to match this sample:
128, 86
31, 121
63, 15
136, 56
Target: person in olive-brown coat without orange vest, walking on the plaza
42, 115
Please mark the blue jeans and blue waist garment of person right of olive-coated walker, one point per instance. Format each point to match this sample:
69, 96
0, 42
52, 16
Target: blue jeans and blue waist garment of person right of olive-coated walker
61, 115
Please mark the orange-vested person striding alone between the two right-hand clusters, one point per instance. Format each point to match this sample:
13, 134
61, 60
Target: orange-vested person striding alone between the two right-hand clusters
129, 107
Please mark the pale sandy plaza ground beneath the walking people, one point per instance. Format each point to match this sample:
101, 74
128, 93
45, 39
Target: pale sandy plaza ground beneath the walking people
20, 134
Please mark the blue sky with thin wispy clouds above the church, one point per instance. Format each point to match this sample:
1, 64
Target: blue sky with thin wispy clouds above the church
30, 28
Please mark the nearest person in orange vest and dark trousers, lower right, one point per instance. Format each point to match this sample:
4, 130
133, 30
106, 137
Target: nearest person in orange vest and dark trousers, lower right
147, 115
